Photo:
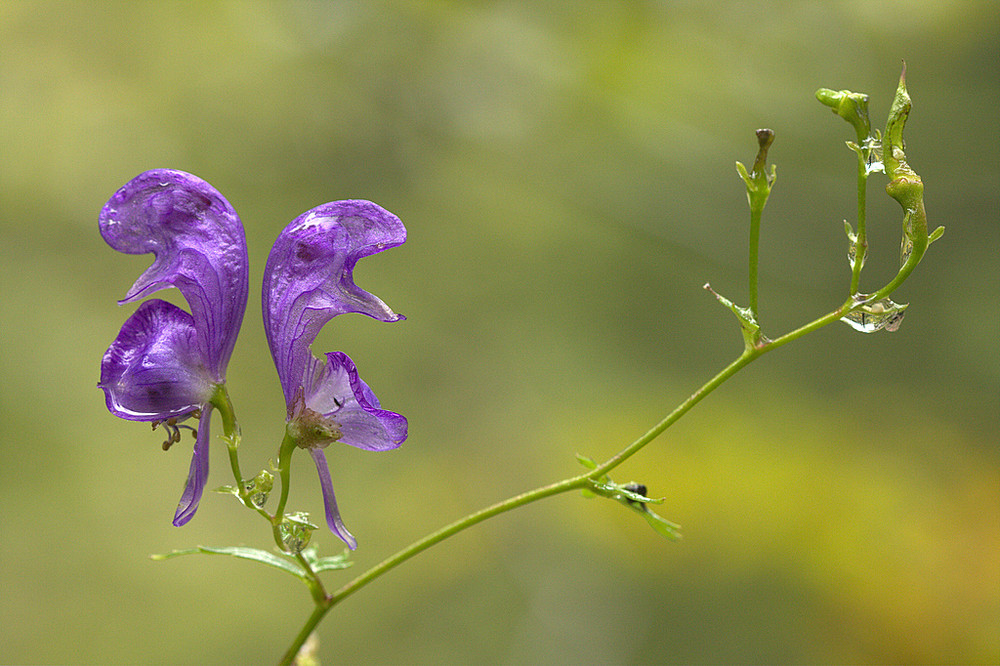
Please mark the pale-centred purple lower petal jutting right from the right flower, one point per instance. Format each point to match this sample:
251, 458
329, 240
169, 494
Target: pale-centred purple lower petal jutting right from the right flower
334, 390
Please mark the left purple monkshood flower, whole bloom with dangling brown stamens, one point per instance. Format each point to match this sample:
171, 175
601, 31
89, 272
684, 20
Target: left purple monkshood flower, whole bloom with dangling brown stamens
166, 365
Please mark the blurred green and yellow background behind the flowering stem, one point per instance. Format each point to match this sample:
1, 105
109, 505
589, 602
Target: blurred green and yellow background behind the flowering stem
565, 171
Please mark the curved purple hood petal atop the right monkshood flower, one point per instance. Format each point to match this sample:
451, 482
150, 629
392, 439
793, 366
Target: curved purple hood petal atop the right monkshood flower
309, 279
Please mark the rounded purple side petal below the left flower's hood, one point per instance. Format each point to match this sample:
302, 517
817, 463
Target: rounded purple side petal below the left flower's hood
153, 370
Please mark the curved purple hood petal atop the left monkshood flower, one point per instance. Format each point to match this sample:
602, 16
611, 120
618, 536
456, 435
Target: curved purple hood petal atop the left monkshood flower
200, 248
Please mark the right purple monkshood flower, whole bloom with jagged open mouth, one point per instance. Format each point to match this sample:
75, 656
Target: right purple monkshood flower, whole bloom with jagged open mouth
308, 281
